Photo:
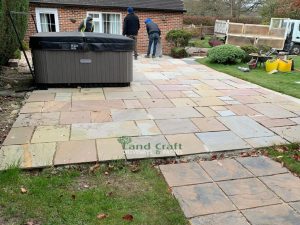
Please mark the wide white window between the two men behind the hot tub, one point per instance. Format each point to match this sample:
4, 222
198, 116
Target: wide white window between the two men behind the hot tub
109, 23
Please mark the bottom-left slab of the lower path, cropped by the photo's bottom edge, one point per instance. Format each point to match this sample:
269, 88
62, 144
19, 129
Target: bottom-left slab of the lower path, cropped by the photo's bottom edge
228, 218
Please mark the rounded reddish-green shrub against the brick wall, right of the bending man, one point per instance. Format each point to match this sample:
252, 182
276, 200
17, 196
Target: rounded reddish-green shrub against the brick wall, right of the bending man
179, 38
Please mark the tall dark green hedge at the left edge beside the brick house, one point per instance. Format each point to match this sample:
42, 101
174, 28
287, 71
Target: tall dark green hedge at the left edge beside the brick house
8, 39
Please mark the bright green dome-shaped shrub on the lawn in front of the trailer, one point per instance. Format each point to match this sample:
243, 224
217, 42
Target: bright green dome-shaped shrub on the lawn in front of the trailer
226, 54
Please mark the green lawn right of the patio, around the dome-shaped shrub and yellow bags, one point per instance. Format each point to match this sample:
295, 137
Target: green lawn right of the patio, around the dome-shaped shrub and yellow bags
280, 82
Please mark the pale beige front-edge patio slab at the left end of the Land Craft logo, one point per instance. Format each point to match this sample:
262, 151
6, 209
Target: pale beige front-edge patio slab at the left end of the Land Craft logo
109, 149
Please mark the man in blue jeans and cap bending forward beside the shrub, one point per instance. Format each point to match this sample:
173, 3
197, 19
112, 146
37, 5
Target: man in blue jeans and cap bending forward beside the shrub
153, 34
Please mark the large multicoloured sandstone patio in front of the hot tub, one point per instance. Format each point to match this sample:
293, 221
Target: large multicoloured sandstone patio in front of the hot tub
170, 101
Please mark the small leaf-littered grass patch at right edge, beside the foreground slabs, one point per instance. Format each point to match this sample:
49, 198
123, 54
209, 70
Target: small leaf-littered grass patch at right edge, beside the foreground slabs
288, 155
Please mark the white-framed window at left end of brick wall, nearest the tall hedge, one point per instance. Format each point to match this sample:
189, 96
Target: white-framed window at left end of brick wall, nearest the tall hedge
47, 20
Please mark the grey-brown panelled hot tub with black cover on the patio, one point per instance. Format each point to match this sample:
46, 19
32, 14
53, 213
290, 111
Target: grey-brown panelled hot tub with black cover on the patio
82, 58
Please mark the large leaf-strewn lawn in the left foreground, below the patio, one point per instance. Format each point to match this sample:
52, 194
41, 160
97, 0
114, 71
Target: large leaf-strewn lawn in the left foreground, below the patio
76, 196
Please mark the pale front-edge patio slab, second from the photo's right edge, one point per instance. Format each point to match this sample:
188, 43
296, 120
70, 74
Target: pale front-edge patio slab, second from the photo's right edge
266, 141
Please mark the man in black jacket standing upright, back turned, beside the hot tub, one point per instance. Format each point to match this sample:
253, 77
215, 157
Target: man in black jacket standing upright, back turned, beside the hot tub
131, 28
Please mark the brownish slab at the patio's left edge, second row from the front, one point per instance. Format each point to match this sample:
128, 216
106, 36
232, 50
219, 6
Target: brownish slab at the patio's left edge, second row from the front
18, 136
